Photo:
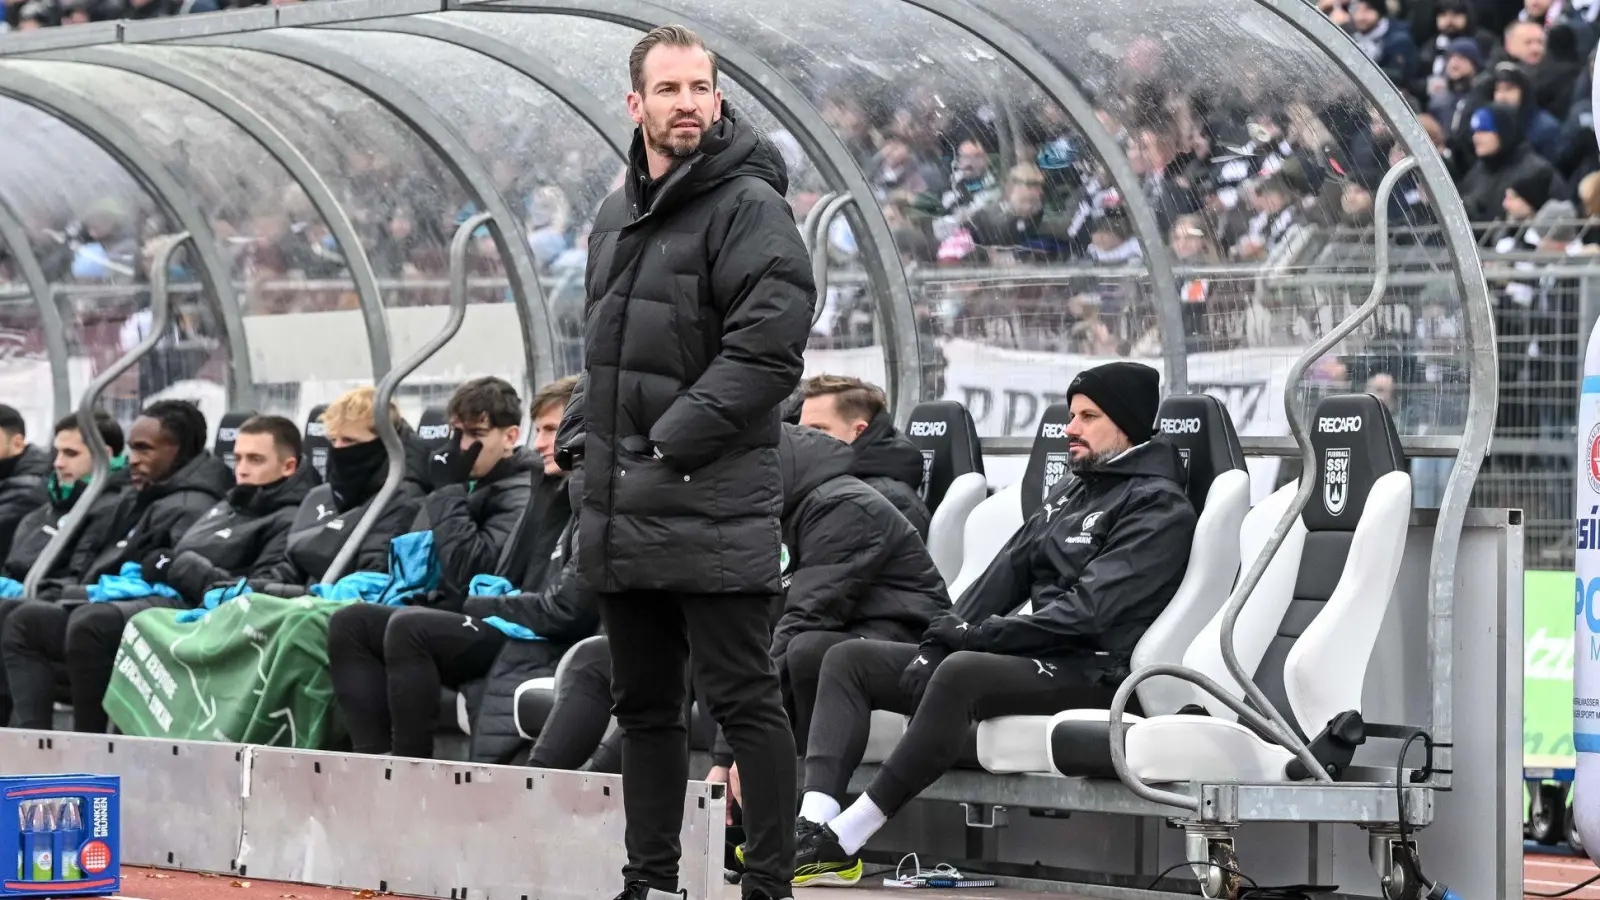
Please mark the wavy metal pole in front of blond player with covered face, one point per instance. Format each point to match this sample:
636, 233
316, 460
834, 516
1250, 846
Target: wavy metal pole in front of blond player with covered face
391, 384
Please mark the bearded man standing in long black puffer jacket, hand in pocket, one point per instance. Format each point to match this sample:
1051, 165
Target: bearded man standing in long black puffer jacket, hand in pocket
700, 302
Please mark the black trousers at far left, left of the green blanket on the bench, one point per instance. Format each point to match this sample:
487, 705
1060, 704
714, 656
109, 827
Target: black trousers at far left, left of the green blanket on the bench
41, 637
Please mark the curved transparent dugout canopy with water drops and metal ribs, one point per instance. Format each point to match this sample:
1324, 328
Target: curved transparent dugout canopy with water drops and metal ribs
324, 164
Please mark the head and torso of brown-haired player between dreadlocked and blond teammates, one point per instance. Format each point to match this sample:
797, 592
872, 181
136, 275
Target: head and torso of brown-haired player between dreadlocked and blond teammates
242, 537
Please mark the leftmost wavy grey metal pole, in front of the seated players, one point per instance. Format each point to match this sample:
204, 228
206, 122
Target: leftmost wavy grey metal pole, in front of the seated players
100, 456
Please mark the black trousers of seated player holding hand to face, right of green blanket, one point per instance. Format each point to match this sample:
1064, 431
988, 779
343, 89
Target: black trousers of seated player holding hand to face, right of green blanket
390, 664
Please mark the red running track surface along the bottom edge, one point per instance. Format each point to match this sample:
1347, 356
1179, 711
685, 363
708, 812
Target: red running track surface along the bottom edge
1542, 875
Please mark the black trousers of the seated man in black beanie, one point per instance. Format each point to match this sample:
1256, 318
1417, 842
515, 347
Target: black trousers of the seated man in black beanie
862, 677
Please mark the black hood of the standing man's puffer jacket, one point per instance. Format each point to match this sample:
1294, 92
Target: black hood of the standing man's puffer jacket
730, 150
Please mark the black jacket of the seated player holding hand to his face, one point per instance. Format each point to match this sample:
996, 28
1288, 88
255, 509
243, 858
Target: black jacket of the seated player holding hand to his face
471, 531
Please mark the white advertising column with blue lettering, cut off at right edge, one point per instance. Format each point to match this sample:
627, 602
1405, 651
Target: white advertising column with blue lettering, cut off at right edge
1586, 632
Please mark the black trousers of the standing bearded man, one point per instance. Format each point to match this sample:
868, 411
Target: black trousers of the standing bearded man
655, 640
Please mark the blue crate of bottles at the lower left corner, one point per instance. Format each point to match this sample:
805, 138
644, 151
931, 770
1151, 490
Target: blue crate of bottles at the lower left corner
66, 832
